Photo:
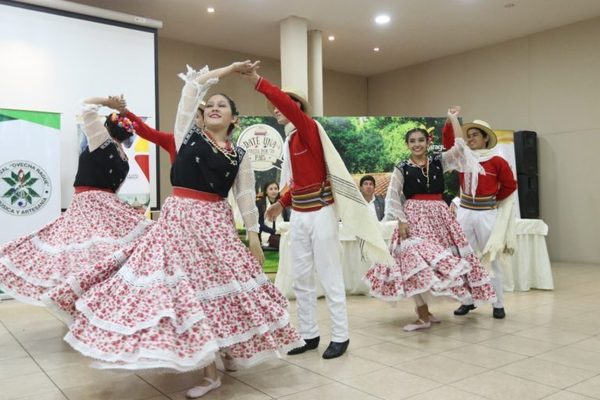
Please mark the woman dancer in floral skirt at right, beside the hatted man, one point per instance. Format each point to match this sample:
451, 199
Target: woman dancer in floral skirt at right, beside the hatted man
430, 249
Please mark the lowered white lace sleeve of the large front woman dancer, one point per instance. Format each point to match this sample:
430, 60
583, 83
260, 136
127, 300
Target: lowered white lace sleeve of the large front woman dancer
245, 197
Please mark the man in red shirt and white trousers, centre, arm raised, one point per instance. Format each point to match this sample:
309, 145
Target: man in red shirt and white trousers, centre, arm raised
314, 226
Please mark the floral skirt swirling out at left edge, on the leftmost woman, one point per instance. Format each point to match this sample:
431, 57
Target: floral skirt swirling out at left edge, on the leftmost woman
96, 225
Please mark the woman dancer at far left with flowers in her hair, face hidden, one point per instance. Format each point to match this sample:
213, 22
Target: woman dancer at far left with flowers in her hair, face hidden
96, 224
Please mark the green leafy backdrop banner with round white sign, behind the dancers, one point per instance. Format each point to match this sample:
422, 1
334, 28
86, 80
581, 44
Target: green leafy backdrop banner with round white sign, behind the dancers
368, 145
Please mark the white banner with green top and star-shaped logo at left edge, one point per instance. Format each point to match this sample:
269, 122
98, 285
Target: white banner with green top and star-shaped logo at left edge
29, 171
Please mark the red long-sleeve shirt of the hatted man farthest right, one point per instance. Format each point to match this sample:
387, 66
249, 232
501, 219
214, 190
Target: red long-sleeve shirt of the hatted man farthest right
498, 179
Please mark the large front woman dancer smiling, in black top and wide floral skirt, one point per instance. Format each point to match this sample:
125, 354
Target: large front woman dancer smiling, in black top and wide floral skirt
190, 288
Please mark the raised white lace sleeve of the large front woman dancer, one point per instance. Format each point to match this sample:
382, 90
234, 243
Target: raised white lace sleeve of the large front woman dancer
191, 95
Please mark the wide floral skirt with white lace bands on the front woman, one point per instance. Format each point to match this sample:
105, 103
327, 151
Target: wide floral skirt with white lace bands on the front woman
188, 289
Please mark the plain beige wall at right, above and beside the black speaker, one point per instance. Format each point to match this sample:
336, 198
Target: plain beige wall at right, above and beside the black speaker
548, 82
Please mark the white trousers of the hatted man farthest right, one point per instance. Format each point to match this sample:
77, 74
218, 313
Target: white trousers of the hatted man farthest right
478, 227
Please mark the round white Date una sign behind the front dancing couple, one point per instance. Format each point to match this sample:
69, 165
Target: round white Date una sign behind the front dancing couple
264, 146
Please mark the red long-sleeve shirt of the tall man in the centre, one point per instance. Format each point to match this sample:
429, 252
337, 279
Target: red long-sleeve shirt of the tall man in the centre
306, 151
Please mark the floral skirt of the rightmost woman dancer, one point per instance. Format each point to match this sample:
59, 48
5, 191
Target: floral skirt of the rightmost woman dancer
436, 259
